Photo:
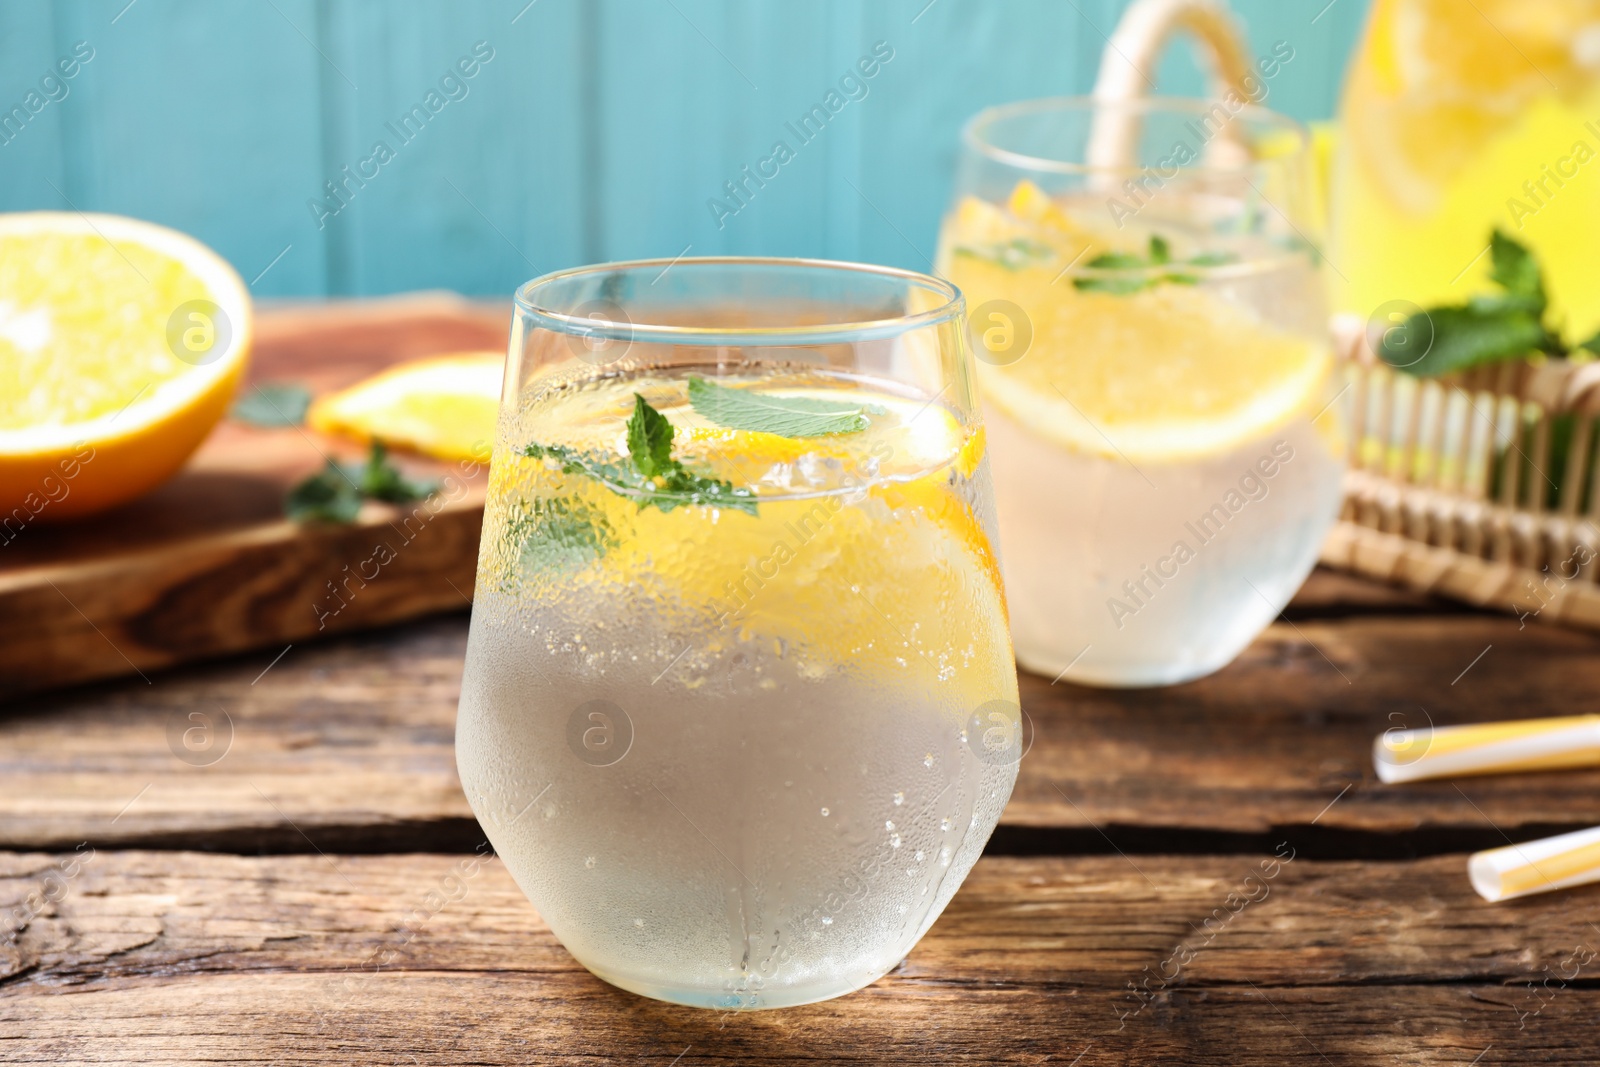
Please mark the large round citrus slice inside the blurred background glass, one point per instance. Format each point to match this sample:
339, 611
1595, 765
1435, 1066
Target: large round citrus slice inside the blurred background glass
1164, 375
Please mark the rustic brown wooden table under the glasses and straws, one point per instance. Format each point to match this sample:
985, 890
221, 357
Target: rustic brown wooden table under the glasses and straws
318, 895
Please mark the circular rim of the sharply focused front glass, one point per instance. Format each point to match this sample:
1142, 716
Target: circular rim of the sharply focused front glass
950, 308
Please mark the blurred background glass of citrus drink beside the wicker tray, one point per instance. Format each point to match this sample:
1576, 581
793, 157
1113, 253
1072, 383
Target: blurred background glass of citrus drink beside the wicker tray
1151, 337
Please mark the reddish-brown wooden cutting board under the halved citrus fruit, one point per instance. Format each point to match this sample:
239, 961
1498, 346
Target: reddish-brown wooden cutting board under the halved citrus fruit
207, 564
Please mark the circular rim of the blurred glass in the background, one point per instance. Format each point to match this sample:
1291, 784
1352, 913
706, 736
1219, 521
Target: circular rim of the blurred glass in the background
975, 140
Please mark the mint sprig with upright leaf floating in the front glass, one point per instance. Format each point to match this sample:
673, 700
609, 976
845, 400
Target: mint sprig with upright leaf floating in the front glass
650, 476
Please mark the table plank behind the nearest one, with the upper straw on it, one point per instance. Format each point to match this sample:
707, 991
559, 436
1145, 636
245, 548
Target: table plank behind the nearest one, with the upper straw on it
353, 741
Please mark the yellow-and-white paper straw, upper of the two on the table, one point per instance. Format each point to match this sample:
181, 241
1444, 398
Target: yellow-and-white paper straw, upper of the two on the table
1407, 756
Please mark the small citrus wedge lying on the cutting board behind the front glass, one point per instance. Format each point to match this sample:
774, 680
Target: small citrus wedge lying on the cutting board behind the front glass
442, 407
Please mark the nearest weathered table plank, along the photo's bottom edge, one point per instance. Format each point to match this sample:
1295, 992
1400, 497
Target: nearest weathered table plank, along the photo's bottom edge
191, 957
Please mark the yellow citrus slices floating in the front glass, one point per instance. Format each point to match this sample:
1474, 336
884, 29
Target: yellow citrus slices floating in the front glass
873, 532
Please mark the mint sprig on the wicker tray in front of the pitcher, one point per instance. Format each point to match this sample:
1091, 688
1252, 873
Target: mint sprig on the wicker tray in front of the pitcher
1490, 329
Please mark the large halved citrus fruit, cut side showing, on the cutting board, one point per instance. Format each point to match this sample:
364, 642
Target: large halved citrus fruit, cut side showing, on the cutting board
121, 348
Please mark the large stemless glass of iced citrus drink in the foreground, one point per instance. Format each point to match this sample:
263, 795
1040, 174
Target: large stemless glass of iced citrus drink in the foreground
740, 706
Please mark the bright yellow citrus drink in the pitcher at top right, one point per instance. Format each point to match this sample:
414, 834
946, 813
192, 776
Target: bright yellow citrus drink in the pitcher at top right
1458, 119
